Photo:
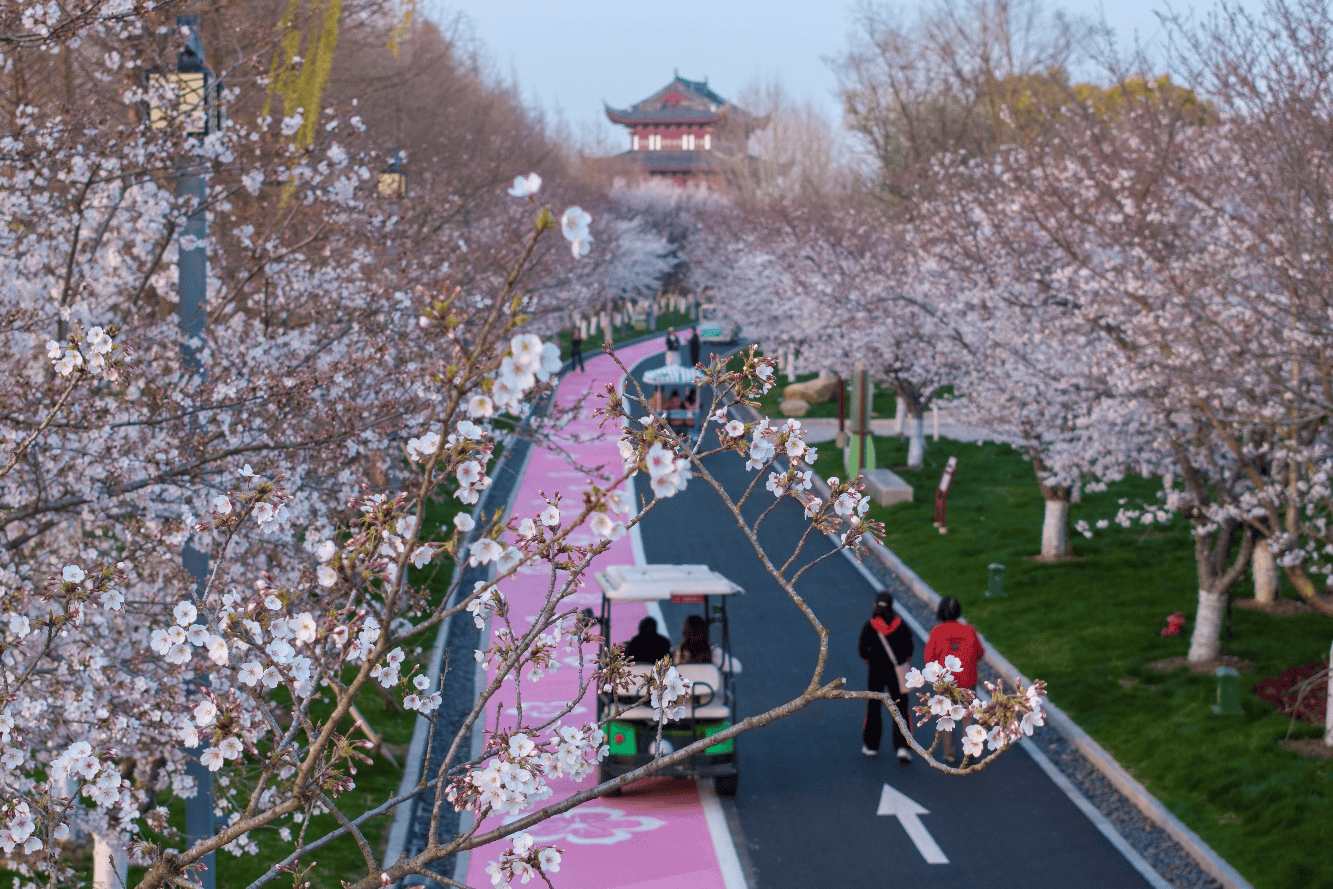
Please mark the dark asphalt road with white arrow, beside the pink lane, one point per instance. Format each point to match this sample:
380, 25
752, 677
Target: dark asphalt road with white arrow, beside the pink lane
807, 808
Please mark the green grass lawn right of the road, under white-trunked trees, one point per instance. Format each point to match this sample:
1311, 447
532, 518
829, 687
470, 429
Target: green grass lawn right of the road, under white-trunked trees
1090, 627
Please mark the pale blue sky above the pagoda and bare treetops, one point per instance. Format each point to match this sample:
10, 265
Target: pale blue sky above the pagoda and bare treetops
569, 59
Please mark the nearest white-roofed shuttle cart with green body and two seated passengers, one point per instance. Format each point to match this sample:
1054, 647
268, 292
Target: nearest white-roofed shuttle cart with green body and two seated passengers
633, 735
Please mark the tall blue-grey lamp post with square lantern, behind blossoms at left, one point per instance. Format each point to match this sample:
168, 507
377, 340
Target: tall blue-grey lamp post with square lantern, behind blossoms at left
198, 113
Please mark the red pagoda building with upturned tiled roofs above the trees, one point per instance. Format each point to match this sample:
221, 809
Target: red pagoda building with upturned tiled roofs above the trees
686, 133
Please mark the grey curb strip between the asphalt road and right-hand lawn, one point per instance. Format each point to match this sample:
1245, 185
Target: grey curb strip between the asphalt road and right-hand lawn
1204, 856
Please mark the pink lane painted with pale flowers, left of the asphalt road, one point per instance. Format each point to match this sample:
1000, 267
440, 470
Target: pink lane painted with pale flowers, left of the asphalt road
661, 834
